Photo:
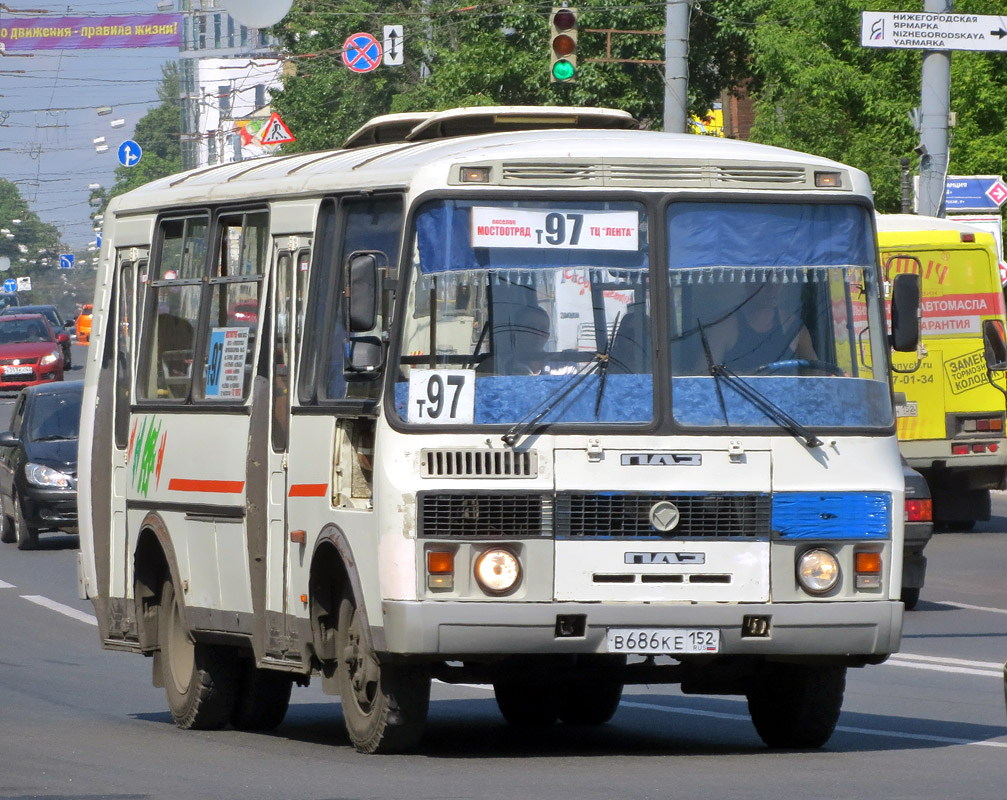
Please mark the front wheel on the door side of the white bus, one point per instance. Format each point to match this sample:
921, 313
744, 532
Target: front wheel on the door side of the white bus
384, 706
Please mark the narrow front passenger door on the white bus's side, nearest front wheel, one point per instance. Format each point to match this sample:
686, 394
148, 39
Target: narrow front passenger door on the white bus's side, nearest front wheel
285, 303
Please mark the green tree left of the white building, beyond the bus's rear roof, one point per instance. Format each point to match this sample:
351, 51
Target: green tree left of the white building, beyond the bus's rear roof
160, 136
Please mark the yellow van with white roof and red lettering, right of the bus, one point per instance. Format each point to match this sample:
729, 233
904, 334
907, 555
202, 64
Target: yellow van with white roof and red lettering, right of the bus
951, 424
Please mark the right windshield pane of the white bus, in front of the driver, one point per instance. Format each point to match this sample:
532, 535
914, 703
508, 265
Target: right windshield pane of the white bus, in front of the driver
784, 298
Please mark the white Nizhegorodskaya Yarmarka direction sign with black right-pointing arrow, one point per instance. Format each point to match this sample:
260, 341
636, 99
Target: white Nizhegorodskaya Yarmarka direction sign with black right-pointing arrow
928, 32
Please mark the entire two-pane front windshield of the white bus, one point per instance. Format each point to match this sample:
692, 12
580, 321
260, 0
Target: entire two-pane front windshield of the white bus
543, 311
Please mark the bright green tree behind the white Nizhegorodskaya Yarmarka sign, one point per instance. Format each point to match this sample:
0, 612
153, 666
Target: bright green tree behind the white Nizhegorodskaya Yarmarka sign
821, 92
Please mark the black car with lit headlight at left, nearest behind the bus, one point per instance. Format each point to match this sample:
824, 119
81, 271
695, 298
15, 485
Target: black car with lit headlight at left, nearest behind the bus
39, 463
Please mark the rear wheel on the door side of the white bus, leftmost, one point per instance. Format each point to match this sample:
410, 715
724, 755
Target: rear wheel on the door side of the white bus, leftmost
200, 680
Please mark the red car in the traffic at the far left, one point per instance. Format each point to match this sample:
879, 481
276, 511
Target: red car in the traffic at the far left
31, 352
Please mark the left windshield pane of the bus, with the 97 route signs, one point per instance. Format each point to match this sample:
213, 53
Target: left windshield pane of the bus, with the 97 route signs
517, 306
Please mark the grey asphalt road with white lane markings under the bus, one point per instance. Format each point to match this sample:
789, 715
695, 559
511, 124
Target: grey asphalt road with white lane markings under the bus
77, 722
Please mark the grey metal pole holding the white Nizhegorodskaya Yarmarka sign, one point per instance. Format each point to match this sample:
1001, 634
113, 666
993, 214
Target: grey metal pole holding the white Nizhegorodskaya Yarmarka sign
935, 109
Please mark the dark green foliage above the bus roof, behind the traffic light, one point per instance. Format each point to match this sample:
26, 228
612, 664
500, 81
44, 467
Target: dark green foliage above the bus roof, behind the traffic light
496, 54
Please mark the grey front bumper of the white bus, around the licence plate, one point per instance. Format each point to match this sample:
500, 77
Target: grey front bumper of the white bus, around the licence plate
799, 629
